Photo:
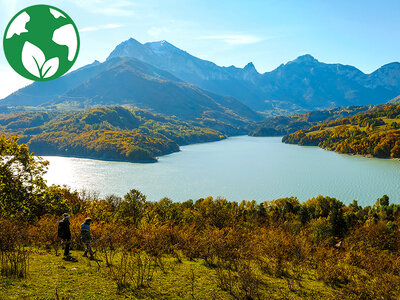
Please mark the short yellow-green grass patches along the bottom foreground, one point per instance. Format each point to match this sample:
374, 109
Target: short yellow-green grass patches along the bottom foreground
50, 274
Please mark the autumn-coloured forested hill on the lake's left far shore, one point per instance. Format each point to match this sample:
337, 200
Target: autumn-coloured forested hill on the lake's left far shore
106, 132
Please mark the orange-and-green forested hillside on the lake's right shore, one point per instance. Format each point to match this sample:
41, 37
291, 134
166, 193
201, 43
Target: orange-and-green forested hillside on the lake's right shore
374, 133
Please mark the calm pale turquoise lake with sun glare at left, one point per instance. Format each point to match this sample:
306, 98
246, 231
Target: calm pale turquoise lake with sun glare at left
239, 168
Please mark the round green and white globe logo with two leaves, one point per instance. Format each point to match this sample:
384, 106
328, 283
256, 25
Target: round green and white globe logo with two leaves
41, 42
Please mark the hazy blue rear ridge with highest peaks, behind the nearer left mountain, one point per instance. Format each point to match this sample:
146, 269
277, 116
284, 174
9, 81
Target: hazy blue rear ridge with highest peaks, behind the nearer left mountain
302, 84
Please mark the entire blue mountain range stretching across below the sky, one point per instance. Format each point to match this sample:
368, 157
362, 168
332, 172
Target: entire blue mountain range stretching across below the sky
165, 79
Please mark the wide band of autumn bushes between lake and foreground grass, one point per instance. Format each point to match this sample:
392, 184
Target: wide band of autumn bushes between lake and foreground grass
283, 238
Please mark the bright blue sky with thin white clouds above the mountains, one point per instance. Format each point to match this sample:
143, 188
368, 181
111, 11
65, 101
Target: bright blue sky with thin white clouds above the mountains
267, 32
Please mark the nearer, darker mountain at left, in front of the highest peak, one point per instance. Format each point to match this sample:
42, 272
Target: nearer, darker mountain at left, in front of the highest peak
128, 81
